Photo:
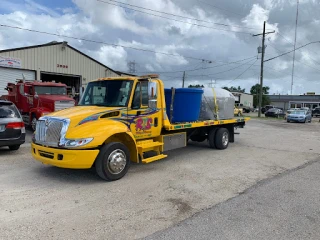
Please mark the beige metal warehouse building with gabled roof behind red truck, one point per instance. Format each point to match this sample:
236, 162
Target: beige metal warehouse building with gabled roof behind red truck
54, 61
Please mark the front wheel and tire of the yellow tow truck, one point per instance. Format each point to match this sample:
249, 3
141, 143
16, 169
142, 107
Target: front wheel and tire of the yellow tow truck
113, 161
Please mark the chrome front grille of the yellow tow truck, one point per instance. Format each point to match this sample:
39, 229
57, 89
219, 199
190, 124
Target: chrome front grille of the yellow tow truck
48, 132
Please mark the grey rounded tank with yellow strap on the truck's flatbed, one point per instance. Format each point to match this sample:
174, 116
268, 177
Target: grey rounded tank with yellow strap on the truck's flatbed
217, 103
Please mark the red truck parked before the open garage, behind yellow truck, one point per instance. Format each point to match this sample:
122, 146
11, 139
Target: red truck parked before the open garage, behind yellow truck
36, 98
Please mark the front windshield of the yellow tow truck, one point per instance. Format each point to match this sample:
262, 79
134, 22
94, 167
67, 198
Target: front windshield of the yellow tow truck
109, 93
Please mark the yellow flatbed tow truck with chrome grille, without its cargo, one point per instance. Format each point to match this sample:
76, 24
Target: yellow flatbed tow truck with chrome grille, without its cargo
119, 120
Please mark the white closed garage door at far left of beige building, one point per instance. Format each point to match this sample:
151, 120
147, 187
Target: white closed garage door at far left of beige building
11, 75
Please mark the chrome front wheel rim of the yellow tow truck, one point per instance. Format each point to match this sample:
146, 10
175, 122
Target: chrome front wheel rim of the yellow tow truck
117, 161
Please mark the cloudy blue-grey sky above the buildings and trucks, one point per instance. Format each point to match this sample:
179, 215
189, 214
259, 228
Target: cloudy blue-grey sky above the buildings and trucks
210, 39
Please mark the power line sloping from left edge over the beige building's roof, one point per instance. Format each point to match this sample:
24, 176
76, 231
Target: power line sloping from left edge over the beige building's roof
100, 42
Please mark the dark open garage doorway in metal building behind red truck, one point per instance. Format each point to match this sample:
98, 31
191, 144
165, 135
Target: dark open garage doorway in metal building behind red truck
72, 81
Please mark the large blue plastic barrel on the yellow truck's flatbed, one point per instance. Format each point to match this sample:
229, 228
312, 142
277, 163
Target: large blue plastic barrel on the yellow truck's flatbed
186, 104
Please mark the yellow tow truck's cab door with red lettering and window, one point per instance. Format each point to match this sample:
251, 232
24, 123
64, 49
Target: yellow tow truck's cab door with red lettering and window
147, 120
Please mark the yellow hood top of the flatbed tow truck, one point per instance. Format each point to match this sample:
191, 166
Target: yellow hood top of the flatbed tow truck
81, 114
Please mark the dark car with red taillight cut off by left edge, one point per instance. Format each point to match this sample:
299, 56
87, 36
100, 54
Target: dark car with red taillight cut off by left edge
12, 129
